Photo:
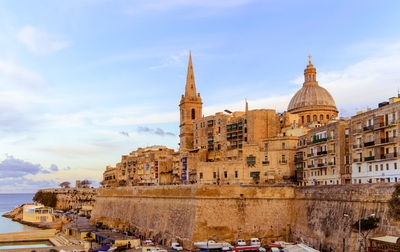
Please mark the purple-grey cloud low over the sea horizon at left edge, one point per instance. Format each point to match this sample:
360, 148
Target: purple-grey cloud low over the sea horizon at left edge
15, 168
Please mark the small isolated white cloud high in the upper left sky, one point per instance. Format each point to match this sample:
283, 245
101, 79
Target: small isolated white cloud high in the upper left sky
40, 42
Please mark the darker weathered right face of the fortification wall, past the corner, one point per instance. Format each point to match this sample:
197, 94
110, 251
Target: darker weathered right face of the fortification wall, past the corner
319, 214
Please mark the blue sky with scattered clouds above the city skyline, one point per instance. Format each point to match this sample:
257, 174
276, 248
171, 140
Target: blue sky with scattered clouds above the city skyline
83, 82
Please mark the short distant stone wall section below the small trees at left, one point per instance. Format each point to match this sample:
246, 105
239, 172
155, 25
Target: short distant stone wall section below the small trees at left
73, 198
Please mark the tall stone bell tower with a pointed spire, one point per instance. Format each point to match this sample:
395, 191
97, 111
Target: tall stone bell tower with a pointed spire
190, 109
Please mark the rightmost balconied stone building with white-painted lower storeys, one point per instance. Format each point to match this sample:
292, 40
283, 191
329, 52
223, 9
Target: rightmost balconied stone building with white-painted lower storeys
375, 144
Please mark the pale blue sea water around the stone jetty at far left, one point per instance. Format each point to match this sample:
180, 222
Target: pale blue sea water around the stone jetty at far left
7, 203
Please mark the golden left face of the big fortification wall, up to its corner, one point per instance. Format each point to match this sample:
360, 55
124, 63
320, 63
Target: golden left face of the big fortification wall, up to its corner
195, 212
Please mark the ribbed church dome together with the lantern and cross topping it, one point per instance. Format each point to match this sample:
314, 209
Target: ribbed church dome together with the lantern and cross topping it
311, 96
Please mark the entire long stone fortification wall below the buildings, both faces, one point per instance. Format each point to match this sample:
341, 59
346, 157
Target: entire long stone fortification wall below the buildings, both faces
191, 213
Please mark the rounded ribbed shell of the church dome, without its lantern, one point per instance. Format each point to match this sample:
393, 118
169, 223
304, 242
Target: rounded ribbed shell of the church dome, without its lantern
311, 97
